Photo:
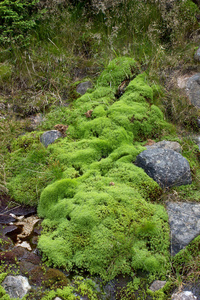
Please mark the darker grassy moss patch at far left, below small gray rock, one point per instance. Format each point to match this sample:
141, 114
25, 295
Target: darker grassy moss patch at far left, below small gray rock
30, 168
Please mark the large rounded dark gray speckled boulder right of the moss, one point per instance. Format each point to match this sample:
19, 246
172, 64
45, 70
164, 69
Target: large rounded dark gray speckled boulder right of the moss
167, 167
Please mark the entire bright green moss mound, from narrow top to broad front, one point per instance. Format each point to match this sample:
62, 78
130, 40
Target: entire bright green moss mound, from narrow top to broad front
98, 216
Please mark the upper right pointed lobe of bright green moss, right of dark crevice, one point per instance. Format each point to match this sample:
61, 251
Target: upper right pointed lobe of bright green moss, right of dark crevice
135, 112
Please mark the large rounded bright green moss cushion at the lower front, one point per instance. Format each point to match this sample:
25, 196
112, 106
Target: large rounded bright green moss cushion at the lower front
100, 225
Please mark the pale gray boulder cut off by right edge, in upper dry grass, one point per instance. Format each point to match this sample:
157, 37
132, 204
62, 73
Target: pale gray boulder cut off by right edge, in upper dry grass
193, 89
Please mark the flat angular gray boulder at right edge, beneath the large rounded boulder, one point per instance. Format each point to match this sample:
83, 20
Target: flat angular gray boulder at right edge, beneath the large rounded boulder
184, 221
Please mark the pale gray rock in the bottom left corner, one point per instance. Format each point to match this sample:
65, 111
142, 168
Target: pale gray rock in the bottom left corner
16, 286
